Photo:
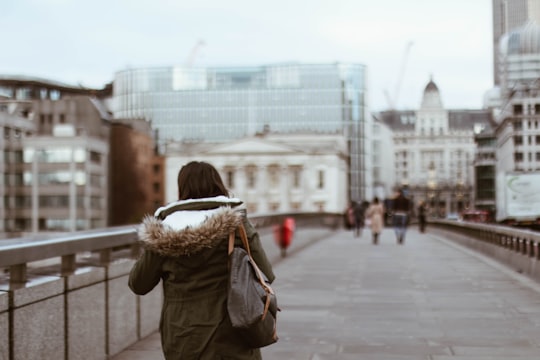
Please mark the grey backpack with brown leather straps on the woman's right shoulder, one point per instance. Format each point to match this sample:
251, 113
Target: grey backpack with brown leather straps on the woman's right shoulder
251, 302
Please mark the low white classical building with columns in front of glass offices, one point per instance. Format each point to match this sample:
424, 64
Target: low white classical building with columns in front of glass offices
272, 172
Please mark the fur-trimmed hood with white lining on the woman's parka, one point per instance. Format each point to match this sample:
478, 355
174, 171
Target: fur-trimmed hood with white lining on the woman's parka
186, 227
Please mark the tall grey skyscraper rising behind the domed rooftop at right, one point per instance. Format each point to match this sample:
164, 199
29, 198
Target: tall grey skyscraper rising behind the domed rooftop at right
508, 15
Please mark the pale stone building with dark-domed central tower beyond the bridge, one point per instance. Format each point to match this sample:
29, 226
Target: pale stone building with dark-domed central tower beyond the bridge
434, 152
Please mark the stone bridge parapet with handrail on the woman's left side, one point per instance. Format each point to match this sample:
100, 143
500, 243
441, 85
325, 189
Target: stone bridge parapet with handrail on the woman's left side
66, 297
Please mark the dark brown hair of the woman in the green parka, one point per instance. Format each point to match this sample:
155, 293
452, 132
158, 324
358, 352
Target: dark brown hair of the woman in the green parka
198, 180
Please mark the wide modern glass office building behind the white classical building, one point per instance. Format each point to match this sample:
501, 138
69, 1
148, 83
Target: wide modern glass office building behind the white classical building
224, 103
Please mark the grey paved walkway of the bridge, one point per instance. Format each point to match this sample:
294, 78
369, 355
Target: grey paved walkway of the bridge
431, 299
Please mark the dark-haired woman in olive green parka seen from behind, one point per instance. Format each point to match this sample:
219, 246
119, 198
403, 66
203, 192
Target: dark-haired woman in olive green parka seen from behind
185, 247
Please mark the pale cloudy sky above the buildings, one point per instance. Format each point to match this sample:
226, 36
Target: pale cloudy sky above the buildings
86, 42
